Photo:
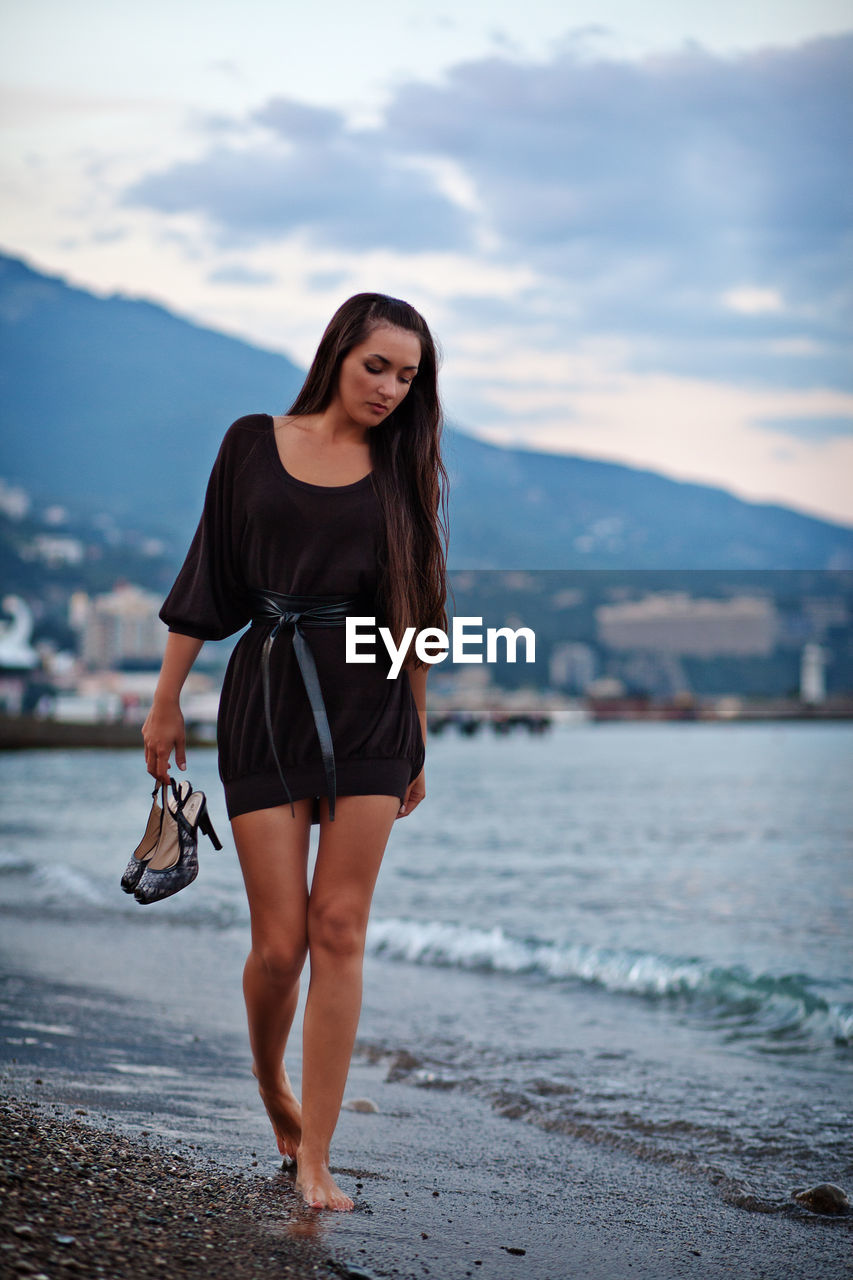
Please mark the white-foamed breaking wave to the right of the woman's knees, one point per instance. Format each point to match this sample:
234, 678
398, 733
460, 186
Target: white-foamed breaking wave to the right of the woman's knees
783, 1011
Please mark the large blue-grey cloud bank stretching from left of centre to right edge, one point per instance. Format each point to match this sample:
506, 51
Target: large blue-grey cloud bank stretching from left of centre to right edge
690, 204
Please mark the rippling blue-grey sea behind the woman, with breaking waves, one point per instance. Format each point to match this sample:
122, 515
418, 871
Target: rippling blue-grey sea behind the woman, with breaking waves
637, 935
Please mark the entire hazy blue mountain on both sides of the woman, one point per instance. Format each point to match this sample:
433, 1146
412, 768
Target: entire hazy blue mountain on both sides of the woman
117, 405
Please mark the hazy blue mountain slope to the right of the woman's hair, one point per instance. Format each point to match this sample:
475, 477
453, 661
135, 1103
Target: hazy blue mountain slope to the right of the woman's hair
521, 510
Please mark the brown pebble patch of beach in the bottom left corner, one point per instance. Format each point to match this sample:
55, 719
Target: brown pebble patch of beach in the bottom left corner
88, 1203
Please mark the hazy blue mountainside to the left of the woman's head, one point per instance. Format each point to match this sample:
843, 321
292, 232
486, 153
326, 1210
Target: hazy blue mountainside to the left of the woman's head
118, 403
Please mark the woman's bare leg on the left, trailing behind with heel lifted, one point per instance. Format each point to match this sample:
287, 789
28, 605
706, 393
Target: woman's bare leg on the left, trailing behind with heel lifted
273, 854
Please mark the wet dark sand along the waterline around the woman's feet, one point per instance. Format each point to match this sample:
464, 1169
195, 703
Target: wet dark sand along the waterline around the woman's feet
444, 1185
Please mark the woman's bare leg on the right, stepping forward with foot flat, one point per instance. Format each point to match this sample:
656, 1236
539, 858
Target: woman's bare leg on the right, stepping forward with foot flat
348, 865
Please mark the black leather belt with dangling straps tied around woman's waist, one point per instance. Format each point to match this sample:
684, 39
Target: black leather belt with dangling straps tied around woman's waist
303, 611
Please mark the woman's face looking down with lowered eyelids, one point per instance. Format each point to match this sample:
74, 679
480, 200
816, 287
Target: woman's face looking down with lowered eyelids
377, 374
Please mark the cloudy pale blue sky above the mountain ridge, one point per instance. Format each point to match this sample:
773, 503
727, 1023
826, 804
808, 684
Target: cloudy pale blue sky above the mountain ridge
628, 225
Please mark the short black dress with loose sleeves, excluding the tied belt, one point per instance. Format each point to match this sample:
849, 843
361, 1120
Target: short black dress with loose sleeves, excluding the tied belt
264, 529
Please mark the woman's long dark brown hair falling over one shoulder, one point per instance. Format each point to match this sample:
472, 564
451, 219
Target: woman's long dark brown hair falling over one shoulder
409, 476
